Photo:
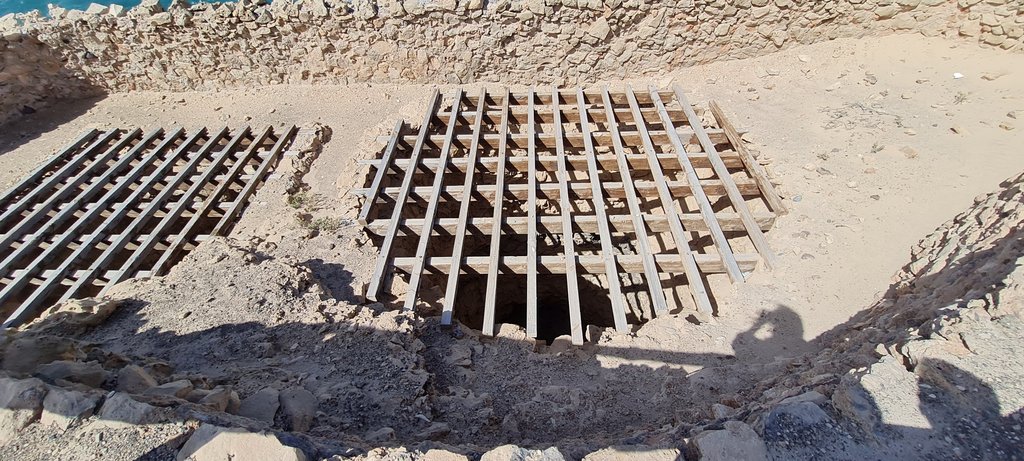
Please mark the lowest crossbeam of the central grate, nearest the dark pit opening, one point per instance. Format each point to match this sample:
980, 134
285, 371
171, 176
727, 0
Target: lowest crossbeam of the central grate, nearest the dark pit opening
593, 265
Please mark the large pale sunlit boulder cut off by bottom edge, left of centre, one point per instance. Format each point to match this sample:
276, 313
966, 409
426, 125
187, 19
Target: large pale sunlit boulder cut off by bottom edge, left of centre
211, 443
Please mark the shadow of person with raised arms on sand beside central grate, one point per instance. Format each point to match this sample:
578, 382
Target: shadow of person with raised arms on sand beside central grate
777, 333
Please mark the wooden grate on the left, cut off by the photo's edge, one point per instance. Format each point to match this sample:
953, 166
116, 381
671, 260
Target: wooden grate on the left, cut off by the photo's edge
120, 204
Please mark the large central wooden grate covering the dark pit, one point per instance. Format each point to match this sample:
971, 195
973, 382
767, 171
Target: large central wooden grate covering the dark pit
559, 167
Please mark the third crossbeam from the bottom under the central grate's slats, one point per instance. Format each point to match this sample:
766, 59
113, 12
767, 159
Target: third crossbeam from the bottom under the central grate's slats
714, 188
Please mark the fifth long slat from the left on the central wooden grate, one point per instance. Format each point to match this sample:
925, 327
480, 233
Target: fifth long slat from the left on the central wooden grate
496, 224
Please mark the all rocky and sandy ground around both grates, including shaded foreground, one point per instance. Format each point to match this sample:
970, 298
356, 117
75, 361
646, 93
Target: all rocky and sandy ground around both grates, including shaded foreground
261, 344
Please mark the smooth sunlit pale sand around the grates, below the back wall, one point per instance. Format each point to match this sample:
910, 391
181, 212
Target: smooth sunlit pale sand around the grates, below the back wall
836, 121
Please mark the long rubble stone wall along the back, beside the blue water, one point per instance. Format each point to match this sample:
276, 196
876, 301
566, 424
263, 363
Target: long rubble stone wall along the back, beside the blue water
207, 47
